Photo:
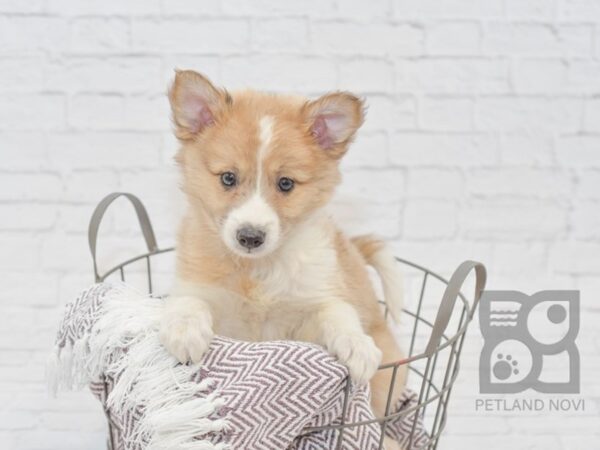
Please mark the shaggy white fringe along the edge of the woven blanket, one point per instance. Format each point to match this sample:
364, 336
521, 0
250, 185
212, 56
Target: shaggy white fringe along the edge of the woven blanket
123, 344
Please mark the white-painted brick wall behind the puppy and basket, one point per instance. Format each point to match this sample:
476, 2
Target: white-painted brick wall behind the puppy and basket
482, 141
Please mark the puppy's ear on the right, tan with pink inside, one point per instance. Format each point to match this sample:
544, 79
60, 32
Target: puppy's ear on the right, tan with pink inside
333, 120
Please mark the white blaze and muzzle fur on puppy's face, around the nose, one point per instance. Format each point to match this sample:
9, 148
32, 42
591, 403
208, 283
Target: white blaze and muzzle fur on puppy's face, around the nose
256, 211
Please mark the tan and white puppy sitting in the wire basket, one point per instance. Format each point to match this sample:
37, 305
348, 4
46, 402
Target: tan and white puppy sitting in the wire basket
257, 257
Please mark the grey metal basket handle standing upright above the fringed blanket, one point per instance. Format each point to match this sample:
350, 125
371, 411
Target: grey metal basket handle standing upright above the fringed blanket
98, 214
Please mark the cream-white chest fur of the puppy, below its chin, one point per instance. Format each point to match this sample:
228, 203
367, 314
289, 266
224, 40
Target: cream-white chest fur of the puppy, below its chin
286, 287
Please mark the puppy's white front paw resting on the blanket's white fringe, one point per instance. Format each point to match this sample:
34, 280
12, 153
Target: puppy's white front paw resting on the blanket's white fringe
186, 336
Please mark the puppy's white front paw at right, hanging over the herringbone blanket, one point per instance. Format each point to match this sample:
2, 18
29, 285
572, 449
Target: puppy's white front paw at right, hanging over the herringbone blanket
358, 352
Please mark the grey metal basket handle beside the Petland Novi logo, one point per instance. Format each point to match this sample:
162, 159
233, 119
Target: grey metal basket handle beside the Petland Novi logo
449, 299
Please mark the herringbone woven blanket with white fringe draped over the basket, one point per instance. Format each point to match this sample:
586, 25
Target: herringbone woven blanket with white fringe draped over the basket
268, 395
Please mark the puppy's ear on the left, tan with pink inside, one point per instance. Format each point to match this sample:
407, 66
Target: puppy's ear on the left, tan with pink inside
195, 102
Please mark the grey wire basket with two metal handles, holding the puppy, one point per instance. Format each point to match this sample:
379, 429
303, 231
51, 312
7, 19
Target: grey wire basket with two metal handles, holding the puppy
434, 329
